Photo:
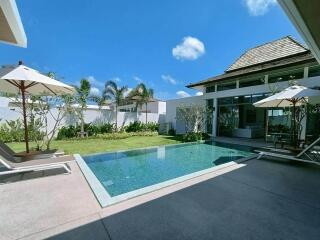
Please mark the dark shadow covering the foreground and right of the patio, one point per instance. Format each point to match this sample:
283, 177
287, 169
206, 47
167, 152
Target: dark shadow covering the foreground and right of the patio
264, 200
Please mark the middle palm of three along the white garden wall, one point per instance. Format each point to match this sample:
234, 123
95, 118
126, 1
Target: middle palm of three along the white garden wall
116, 94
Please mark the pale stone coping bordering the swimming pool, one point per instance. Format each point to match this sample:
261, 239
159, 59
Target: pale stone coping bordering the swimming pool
105, 199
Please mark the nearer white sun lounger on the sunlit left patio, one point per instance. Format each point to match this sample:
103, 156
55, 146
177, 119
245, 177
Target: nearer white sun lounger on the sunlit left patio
35, 165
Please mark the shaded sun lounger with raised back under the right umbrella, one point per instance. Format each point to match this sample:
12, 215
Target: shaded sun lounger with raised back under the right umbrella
311, 154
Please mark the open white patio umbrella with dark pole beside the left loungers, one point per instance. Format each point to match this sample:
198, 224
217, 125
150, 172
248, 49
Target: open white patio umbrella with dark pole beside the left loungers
24, 80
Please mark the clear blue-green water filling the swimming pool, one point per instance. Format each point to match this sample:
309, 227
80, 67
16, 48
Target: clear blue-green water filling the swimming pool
122, 172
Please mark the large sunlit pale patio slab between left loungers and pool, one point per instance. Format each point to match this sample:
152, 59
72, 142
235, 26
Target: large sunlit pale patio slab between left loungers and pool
35, 205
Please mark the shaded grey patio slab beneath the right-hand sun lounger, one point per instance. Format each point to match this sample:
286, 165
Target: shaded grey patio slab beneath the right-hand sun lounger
293, 180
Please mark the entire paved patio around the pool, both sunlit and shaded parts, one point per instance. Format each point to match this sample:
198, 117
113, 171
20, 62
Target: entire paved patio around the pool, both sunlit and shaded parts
262, 199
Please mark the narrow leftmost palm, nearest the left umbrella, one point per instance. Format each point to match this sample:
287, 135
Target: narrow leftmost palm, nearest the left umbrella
82, 97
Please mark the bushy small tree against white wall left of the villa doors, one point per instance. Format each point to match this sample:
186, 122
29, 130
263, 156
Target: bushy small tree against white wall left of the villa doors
193, 116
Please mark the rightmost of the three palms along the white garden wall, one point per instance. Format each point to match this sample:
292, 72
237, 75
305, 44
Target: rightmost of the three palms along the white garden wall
142, 95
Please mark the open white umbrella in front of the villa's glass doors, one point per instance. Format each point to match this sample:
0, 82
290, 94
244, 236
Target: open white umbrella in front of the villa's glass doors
291, 97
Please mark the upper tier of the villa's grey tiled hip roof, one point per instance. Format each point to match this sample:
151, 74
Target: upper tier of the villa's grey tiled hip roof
281, 48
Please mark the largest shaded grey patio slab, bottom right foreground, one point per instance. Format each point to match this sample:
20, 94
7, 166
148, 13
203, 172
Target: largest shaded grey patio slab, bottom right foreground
219, 208
